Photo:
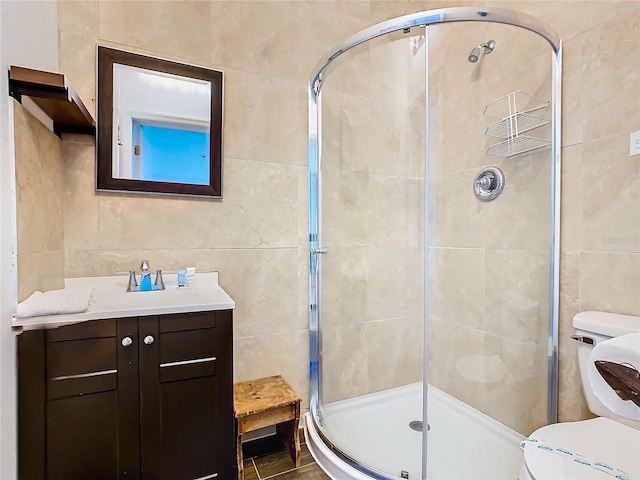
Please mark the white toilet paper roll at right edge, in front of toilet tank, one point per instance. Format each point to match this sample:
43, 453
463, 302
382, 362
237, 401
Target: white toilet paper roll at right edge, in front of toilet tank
624, 349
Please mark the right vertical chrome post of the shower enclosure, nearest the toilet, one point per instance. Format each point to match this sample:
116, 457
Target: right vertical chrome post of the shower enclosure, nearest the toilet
556, 174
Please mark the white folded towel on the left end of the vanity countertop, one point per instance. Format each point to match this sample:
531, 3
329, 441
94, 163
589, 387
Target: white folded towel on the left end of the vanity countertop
56, 302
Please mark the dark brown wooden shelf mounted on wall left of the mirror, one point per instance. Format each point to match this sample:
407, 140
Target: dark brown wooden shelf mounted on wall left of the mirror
53, 93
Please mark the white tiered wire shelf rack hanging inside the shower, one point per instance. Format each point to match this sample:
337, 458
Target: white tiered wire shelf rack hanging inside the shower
513, 123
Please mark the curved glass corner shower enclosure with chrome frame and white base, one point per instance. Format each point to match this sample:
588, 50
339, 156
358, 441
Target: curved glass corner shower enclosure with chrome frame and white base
434, 158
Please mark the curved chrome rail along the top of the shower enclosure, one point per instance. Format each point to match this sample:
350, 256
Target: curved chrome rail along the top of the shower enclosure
430, 17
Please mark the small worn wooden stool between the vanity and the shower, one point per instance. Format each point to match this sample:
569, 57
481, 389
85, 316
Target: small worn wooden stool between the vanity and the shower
265, 402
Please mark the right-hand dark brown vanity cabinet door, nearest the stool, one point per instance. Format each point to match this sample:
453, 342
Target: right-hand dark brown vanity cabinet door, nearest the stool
186, 396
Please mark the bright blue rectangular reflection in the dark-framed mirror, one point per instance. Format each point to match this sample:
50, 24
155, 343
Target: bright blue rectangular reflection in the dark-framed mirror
170, 152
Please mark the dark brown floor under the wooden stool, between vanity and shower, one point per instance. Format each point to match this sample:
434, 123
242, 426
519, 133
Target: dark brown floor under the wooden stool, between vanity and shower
278, 466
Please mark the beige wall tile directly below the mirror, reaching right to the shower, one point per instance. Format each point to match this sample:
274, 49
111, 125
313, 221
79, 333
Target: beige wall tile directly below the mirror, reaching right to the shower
259, 210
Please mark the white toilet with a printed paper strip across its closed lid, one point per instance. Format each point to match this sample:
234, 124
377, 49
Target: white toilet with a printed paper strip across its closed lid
606, 447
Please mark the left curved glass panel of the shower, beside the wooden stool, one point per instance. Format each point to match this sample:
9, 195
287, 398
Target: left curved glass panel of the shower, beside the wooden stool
371, 281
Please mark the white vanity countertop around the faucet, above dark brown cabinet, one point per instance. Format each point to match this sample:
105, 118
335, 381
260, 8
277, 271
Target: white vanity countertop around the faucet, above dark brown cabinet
111, 300
